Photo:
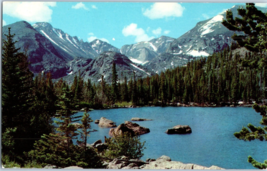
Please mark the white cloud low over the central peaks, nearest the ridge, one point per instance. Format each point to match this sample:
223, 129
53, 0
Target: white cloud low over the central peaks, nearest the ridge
139, 33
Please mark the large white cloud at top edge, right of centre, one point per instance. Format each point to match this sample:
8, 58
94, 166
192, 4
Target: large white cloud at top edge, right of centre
164, 9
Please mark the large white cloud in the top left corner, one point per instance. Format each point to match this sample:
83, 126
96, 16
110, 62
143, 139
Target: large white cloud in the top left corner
29, 11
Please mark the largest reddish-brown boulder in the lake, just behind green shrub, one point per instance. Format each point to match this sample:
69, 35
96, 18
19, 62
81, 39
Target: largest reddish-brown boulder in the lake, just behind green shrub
130, 128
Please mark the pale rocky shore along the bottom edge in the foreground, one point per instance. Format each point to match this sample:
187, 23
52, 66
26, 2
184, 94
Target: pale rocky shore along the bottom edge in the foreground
163, 162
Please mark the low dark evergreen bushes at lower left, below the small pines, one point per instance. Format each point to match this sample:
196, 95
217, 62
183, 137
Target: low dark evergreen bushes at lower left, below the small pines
52, 149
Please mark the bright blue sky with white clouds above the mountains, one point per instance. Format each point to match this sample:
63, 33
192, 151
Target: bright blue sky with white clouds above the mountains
118, 23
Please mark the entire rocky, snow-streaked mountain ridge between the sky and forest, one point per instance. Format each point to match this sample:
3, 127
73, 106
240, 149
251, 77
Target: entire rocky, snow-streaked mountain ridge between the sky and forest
52, 50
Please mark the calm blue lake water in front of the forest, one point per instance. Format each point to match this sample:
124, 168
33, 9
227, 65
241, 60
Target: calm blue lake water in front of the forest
211, 142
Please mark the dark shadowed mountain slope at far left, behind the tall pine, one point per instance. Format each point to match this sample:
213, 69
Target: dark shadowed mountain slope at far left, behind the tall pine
42, 54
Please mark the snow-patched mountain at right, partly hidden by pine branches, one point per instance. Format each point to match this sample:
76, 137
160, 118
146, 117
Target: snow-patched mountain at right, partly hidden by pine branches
206, 37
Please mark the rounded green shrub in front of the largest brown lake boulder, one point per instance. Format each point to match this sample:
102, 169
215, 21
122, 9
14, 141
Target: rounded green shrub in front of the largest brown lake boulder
125, 145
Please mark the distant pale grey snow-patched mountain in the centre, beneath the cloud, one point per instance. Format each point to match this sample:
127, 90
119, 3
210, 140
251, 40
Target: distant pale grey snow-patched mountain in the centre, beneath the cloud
145, 51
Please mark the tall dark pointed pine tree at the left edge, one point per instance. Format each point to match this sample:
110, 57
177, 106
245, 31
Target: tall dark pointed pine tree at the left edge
17, 100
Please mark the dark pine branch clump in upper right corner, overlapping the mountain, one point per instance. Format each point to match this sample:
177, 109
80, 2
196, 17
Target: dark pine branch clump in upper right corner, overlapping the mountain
253, 24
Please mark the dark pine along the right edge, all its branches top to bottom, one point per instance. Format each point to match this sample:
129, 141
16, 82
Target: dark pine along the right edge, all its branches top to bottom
253, 23
